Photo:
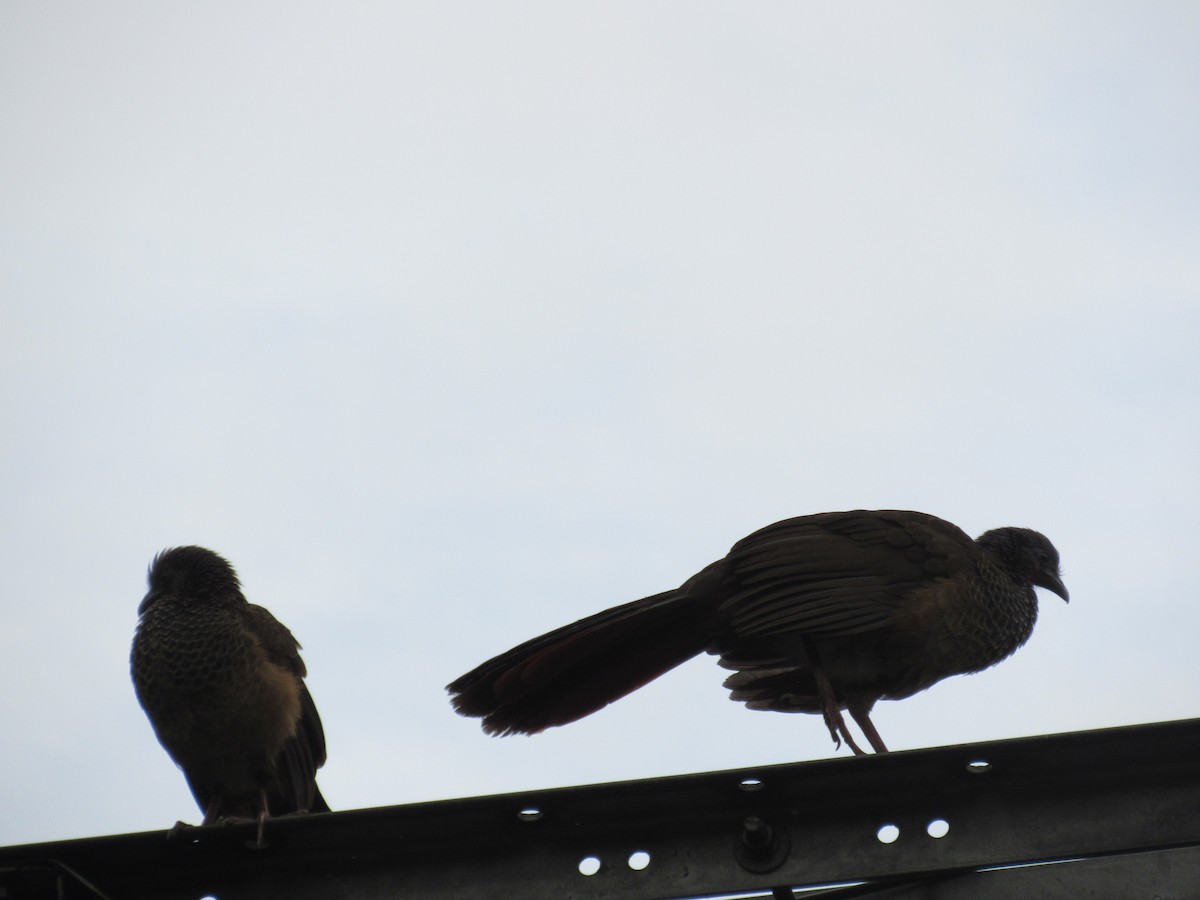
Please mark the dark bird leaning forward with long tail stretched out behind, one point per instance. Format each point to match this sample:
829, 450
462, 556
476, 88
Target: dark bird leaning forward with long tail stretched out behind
815, 615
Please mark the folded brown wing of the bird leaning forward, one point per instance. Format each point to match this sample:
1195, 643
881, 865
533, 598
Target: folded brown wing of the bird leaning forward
837, 573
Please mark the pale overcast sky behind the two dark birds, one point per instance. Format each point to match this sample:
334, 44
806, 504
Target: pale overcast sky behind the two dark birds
449, 323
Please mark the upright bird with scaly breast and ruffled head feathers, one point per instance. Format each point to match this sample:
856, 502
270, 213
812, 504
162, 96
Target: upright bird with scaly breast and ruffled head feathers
223, 685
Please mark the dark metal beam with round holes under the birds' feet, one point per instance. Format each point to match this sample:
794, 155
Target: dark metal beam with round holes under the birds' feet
1120, 806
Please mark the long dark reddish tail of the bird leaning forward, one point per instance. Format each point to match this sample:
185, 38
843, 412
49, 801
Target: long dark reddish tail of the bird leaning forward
579, 669
